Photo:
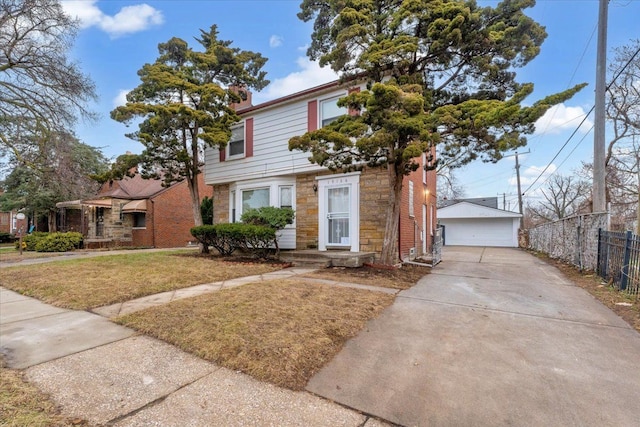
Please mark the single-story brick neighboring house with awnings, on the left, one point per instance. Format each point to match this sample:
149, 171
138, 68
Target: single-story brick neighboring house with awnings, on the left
133, 212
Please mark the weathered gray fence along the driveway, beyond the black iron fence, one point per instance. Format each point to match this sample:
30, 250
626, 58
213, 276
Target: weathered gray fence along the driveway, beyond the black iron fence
573, 239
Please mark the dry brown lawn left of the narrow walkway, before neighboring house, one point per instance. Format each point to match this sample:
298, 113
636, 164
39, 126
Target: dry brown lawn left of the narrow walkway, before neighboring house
94, 282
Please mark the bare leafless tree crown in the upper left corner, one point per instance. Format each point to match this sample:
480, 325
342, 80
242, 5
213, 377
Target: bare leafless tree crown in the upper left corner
41, 90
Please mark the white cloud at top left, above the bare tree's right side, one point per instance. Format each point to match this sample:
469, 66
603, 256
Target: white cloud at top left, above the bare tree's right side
130, 19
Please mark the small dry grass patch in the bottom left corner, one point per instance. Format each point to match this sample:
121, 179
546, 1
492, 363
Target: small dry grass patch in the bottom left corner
22, 404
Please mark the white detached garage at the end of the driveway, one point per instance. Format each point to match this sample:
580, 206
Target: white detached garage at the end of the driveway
471, 224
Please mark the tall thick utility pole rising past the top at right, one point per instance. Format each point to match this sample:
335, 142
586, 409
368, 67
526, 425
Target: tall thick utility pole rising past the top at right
599, 197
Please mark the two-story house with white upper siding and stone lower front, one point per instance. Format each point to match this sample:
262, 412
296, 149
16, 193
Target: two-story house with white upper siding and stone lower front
334, 211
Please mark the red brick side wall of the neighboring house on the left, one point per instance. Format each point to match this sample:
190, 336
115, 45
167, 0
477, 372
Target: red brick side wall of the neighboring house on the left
169, 216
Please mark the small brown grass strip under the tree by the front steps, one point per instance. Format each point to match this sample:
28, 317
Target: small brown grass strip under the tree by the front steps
396, 278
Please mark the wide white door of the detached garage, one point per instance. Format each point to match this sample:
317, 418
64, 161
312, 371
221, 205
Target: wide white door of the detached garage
479, 232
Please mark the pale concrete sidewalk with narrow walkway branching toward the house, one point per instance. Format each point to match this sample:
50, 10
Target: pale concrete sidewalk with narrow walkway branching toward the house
109, 375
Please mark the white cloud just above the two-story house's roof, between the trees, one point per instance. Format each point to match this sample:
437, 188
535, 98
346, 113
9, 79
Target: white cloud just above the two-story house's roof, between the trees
309, 75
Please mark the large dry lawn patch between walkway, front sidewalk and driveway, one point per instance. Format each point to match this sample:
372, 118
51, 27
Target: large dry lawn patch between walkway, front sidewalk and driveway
277, 331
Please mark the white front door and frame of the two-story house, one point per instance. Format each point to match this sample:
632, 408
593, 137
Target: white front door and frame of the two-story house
338, 212
